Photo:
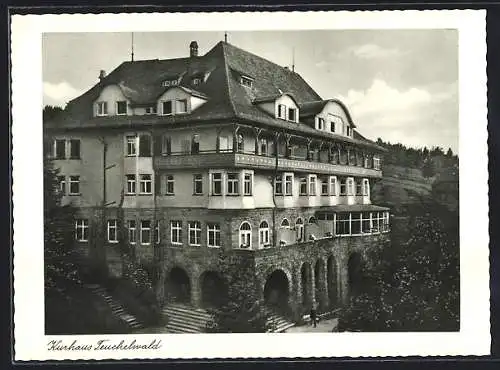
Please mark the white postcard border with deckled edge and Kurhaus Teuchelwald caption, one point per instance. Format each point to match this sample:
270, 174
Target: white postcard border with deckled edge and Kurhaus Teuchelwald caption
26, 57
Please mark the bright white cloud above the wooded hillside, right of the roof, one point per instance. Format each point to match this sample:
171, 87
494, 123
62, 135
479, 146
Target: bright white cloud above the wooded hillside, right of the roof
415, 116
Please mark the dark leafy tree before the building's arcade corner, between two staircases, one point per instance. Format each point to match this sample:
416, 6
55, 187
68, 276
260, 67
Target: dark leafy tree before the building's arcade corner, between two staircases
243, 311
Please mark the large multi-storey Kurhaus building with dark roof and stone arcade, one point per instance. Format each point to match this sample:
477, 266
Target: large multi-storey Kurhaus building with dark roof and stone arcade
221, 155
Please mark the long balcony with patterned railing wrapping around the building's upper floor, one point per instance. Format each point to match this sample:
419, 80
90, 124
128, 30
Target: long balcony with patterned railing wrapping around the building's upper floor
244, 160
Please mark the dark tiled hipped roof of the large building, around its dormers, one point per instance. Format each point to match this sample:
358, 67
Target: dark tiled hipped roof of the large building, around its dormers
221, 67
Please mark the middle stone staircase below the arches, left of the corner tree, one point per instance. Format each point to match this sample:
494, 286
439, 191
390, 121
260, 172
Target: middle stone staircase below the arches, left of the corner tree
181, 318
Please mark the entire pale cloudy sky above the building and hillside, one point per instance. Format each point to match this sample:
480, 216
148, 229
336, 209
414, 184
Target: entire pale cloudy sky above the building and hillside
399, 85
